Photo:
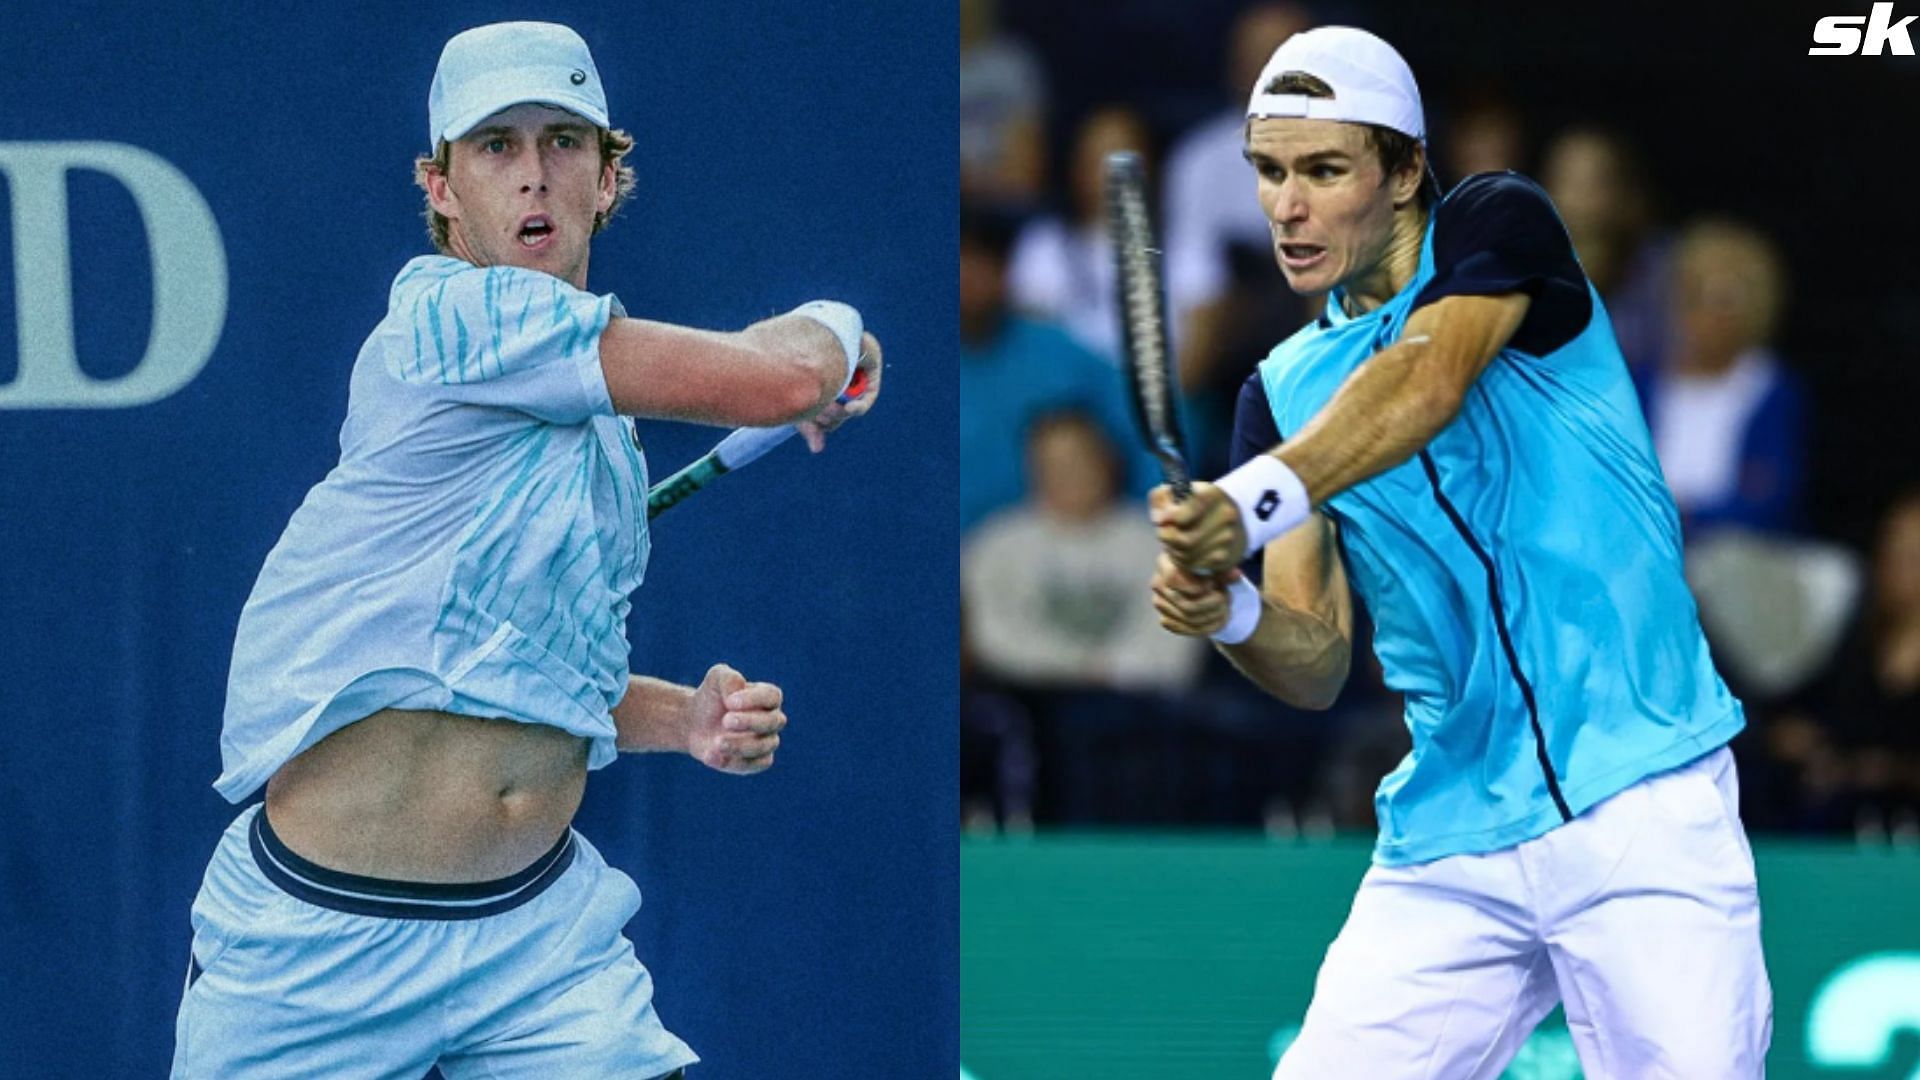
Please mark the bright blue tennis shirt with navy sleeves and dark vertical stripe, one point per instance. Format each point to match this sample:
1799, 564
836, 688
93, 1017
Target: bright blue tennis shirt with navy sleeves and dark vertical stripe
1524, 570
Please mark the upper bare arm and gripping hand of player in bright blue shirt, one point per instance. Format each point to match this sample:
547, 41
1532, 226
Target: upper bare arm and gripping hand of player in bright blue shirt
1383, 414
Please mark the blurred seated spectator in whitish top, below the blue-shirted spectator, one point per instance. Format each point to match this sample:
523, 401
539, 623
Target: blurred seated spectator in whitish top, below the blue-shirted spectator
1063, 712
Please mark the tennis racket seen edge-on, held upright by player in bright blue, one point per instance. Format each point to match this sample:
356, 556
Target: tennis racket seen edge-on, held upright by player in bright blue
1143, 320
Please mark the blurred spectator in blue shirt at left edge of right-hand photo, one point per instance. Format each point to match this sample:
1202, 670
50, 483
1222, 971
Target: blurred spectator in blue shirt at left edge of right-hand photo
1015, 368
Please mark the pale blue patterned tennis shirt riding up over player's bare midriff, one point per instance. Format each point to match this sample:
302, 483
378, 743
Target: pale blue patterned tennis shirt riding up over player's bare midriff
477, 545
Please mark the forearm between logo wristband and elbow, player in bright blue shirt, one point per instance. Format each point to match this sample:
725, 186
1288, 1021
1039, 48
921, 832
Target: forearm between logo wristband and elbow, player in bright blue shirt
1380, 418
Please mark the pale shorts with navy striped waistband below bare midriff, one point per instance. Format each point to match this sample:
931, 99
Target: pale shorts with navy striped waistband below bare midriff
302, 971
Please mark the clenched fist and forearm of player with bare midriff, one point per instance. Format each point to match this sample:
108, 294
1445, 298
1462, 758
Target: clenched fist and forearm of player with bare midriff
725, 724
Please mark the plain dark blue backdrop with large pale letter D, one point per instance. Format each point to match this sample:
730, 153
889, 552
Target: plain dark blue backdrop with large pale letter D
802, 923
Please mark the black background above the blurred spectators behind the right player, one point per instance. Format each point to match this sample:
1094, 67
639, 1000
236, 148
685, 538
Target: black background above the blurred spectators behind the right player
1723, 101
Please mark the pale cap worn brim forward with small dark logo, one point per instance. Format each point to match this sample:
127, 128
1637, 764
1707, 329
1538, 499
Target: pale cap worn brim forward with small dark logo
506, 64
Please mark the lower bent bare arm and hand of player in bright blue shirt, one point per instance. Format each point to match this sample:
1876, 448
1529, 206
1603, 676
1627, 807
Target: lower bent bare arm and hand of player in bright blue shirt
1305, 637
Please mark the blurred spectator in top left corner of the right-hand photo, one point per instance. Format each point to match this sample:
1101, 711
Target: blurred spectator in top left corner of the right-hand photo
1003, 112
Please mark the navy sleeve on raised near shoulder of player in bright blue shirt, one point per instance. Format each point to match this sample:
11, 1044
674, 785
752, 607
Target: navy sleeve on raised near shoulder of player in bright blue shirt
1500, 233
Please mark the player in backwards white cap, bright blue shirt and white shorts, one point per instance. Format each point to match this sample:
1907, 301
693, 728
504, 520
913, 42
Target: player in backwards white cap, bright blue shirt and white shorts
1458, 441
